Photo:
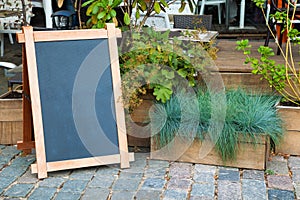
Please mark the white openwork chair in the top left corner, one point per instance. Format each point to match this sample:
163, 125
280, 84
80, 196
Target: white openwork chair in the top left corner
11, 19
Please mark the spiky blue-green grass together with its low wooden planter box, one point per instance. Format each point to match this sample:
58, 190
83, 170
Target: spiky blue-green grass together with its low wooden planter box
192, 129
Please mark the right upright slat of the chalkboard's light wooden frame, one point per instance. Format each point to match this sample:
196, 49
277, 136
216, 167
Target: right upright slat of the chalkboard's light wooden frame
116, 79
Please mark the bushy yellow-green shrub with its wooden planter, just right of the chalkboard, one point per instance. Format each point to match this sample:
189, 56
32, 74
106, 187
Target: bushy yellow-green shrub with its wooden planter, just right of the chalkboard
152, 65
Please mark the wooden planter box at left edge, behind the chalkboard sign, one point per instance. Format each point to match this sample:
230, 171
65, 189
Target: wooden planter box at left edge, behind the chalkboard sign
11, 121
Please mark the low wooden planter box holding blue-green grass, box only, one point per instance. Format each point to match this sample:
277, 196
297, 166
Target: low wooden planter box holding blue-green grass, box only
250, 156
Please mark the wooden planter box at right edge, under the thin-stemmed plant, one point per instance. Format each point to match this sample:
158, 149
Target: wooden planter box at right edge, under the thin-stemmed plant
291, 140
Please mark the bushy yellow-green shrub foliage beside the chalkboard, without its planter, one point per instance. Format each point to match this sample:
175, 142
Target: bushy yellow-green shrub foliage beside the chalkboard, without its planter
153, 61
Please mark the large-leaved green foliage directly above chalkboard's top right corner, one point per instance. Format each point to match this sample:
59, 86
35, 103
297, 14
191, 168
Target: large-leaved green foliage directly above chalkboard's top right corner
101, 12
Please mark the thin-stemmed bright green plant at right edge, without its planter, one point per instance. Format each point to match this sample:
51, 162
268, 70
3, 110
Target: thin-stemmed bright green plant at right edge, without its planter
284, 78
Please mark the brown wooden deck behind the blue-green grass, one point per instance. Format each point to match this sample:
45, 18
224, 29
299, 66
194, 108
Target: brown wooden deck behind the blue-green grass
235, 73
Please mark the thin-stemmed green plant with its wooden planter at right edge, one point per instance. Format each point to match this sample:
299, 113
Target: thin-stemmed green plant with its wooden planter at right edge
283, 77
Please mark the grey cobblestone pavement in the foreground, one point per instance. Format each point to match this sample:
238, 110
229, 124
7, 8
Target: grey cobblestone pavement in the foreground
149, 179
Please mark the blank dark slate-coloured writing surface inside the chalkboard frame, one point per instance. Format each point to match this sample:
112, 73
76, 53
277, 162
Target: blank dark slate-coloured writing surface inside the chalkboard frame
59, 64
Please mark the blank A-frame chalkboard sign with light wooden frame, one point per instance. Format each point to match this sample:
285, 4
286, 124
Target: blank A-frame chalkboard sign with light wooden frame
75, 92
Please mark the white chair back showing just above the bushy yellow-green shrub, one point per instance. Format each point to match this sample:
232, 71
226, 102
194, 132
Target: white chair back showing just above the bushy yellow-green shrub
159, 21
